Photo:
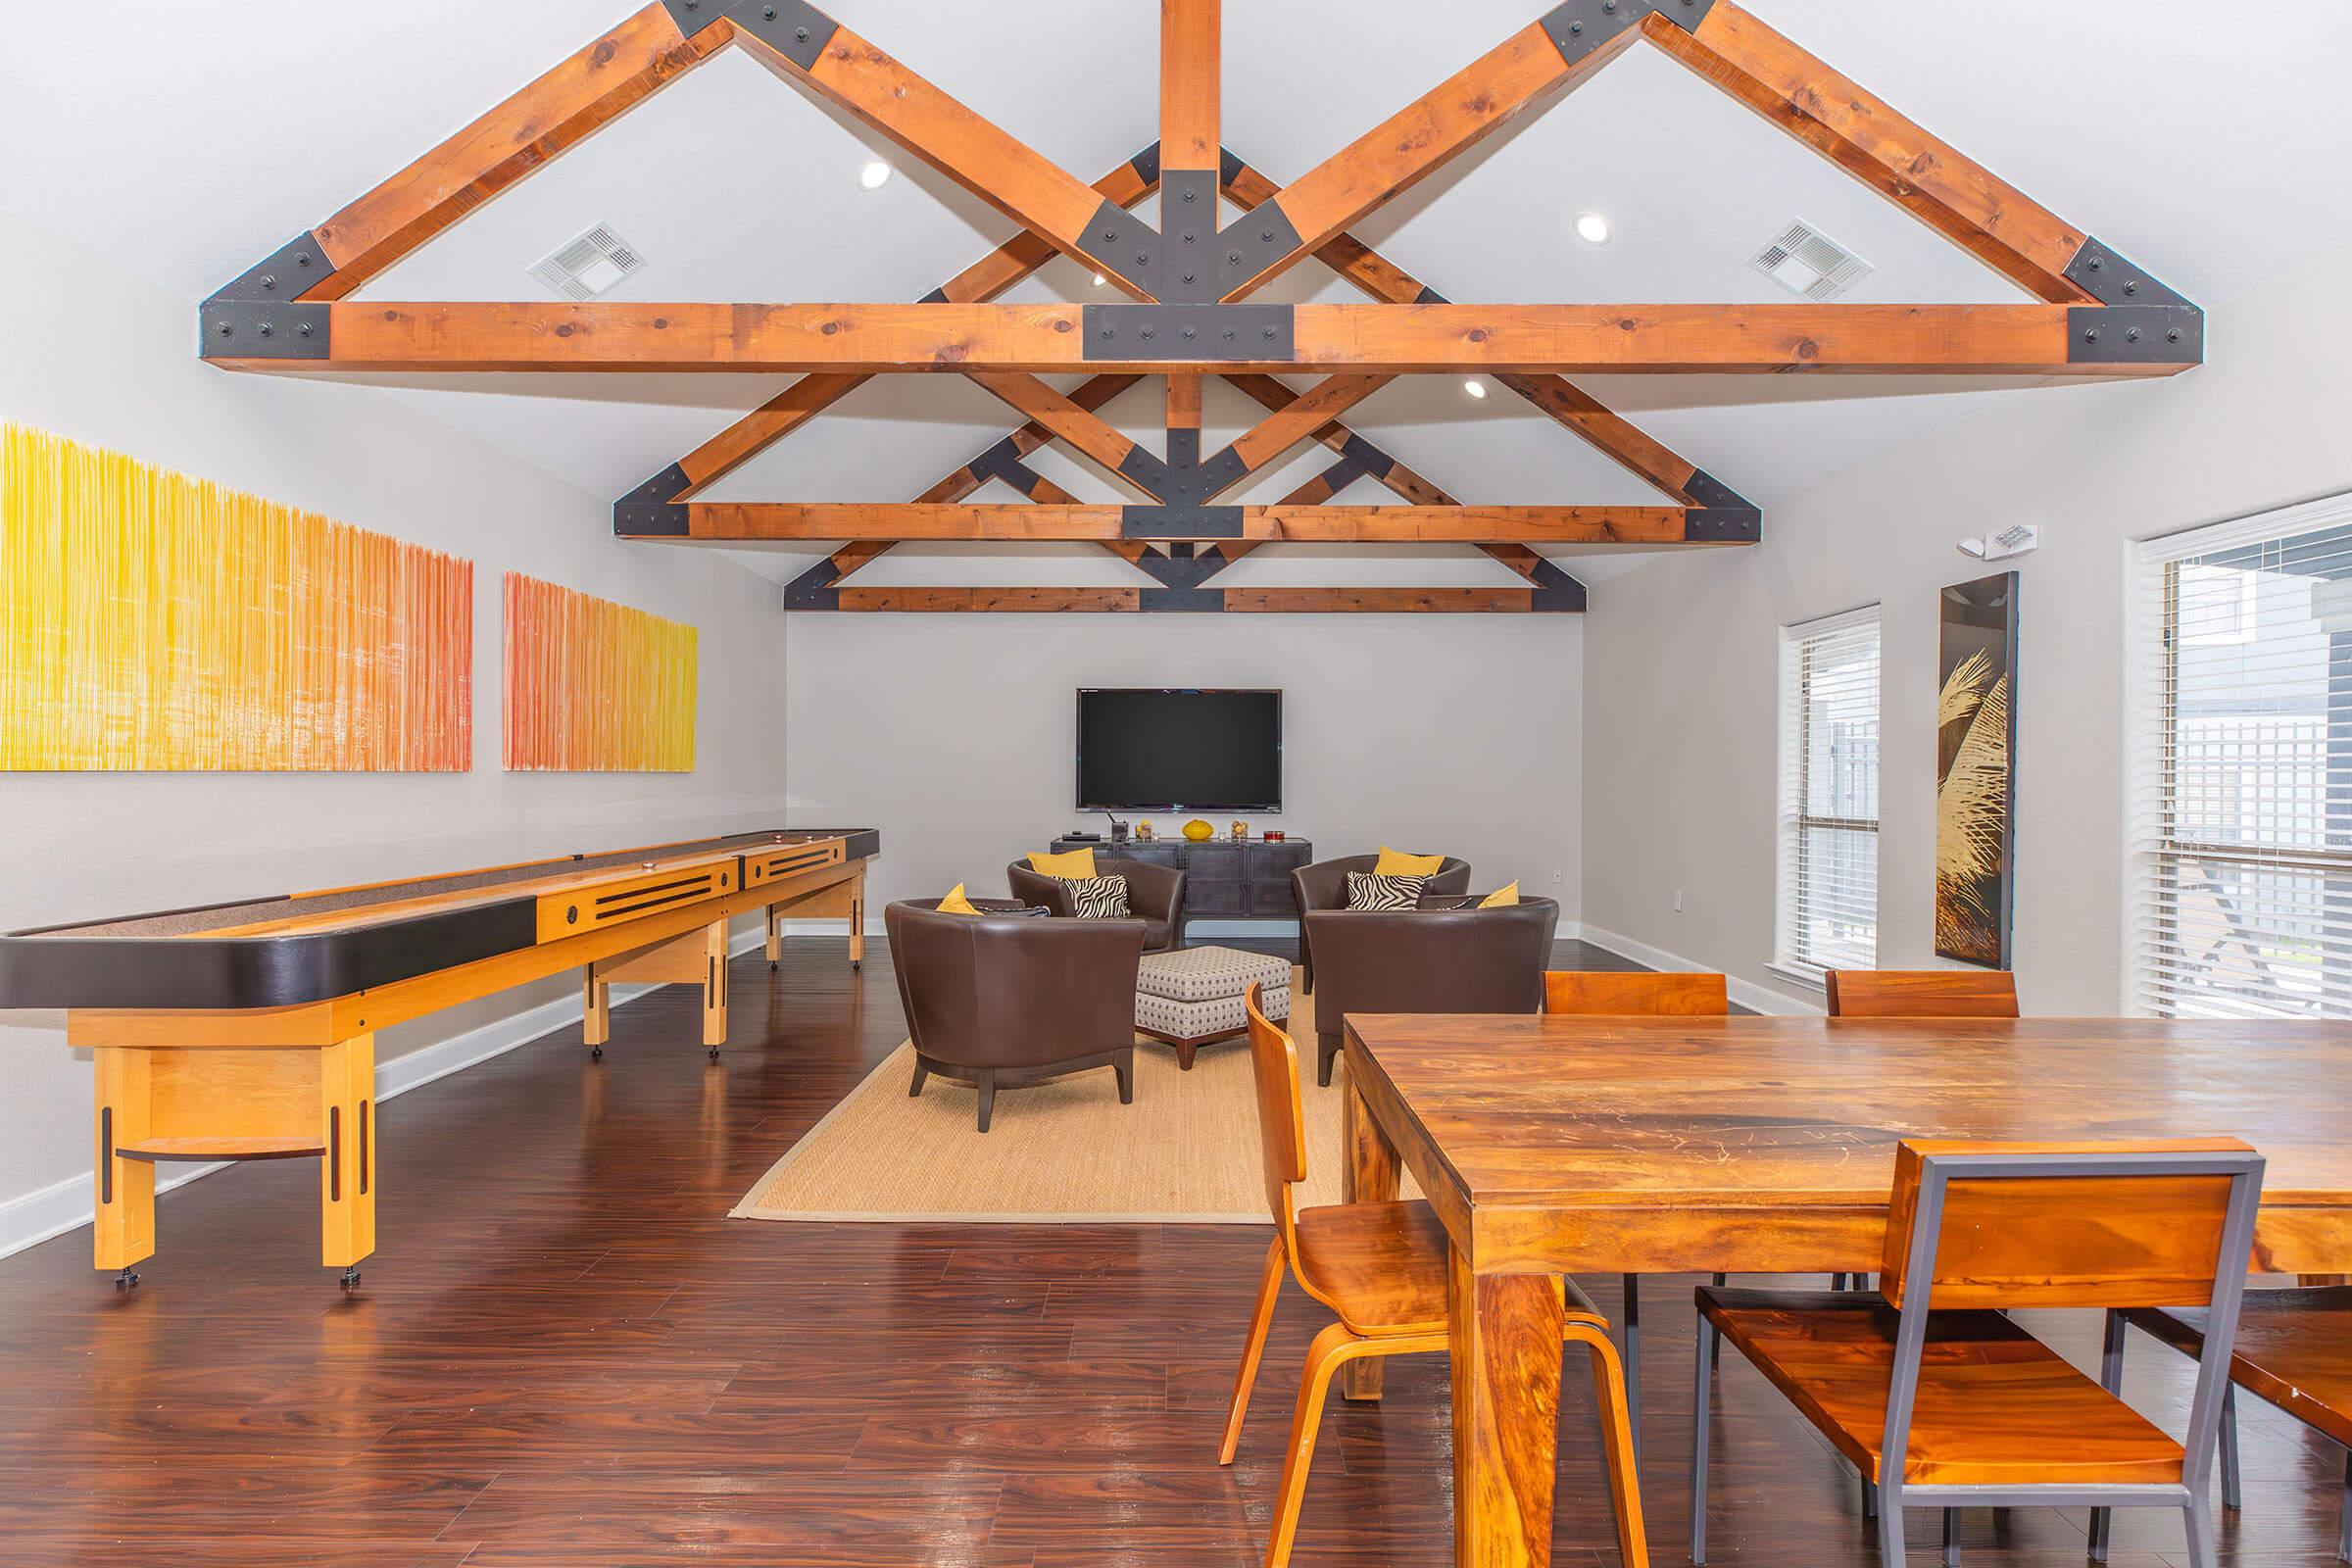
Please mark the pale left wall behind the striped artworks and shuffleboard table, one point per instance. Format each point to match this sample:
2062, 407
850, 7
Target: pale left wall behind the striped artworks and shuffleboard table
107, 359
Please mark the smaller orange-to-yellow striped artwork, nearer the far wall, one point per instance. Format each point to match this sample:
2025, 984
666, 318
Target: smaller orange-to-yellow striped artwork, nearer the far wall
596, 688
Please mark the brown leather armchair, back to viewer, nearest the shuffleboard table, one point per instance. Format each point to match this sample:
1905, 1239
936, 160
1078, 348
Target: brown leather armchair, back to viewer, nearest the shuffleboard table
998, 998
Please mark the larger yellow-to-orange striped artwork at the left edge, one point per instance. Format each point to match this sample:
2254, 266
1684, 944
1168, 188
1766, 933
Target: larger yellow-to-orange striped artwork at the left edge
152, 622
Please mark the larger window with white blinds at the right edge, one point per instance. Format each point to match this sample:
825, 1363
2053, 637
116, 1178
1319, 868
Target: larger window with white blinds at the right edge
2243, 770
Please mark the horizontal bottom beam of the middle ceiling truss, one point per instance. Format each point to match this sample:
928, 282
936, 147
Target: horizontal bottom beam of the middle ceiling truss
1285, 523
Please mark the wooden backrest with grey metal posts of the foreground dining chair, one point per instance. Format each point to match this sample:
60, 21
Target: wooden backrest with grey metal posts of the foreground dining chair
2071, 1226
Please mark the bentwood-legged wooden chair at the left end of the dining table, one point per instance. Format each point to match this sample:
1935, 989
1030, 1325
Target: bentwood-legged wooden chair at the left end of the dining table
1382, 1271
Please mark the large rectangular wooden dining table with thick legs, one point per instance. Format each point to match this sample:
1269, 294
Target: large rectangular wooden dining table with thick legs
1765, 1146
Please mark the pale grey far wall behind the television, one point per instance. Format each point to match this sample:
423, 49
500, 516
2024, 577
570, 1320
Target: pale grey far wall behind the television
1452, 735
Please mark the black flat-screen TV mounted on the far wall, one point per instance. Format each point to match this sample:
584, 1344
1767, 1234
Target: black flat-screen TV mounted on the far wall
1180, 751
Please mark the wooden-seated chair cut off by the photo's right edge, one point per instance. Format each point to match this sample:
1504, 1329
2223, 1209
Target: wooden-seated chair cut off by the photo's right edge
2294, 1348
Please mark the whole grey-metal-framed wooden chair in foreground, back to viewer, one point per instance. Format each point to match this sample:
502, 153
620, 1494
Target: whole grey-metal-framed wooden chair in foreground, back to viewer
1939, 1398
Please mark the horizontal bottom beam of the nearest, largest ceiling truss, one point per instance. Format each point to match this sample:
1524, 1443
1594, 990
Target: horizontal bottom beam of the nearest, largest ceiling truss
1384, 340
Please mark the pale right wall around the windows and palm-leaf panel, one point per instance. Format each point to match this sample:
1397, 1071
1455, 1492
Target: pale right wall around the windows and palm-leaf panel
1683, 652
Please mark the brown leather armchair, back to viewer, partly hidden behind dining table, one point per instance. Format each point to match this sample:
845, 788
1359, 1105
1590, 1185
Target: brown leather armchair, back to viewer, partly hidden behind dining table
1429, 963
